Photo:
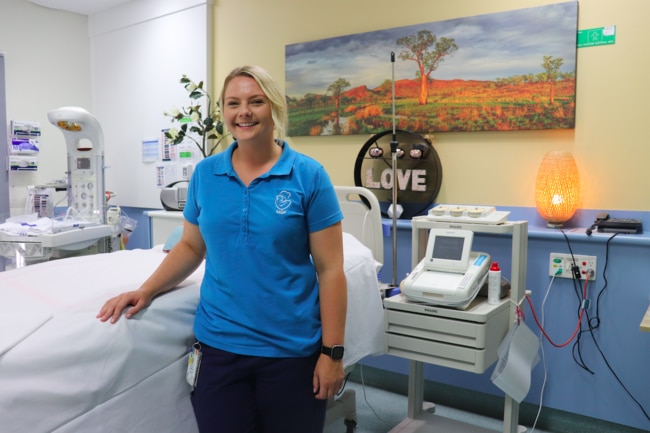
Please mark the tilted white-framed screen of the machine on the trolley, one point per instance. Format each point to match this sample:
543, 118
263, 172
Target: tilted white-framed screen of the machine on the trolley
448, 250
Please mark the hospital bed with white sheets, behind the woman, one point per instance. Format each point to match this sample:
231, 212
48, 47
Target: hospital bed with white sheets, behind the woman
64, 371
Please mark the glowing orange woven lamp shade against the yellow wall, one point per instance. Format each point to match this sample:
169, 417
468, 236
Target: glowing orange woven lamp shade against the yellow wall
557, 189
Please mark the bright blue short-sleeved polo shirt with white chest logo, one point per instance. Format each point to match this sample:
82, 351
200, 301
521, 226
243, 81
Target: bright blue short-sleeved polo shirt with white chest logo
259, 294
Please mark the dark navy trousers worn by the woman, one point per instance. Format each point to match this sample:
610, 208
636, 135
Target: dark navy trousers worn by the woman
249, 394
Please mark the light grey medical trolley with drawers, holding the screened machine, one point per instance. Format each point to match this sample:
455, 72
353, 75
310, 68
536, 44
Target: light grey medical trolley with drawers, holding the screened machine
464, 344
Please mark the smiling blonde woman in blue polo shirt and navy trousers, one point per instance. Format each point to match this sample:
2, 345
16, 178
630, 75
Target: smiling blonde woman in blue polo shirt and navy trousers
271, 317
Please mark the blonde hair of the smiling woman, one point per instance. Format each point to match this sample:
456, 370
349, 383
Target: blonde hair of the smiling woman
270, 89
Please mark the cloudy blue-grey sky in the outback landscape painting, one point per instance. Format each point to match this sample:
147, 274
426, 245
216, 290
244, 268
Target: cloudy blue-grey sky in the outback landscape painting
490, 46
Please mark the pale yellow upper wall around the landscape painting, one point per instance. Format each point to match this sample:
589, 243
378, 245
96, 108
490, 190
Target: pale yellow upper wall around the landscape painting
611, 141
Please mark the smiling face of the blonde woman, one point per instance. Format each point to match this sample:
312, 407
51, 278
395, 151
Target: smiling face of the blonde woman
247, 111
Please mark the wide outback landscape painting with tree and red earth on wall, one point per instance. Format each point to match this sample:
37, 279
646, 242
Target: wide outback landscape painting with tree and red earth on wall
507, 71
